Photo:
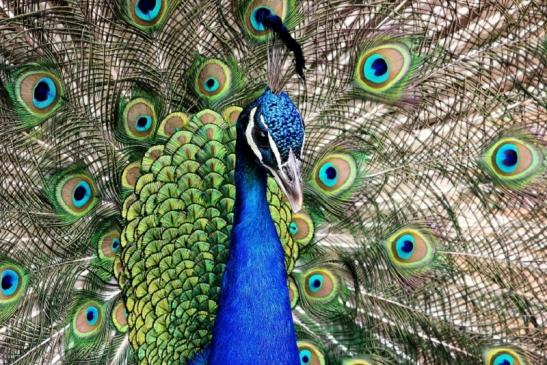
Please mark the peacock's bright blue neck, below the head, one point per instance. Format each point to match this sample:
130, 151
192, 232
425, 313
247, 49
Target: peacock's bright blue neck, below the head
254, 321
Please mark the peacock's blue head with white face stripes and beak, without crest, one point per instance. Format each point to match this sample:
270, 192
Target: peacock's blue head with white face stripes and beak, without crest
274, 130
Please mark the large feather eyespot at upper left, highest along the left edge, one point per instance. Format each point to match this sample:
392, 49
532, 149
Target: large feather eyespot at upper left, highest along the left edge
36, 93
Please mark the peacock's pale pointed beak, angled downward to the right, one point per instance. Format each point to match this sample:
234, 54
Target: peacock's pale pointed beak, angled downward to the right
288, 177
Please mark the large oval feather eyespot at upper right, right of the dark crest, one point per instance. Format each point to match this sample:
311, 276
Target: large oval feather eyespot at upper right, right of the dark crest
381, 68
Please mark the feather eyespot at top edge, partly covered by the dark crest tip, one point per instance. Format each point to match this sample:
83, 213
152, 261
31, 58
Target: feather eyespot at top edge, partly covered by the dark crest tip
253, 26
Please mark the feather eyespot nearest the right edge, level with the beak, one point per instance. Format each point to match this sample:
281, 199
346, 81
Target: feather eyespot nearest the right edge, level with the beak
513, 162
